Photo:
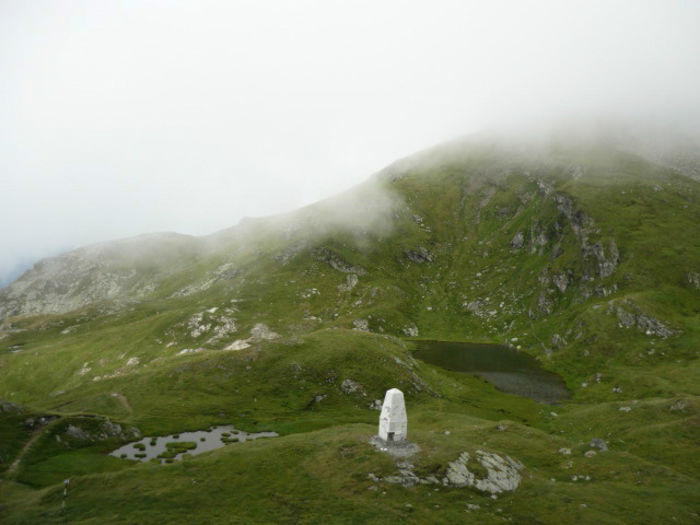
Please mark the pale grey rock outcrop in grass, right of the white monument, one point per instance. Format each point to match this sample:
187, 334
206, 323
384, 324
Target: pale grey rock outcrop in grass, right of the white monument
503, 475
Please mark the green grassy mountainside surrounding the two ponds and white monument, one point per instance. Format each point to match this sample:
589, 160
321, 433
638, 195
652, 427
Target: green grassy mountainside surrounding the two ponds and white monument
584, 258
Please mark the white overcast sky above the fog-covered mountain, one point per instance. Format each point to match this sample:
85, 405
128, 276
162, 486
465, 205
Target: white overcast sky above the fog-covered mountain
120, 118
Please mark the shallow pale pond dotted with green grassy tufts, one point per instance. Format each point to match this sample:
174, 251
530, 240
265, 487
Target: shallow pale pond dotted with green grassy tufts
166, 446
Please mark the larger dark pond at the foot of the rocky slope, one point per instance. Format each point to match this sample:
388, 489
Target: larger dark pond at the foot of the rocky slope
507, 369
